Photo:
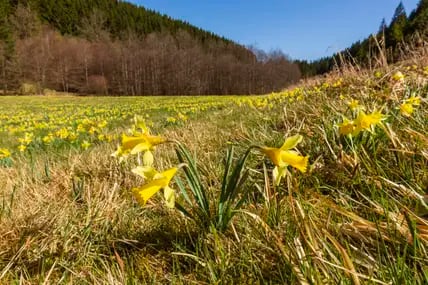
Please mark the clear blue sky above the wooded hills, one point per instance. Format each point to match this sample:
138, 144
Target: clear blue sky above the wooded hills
303, 29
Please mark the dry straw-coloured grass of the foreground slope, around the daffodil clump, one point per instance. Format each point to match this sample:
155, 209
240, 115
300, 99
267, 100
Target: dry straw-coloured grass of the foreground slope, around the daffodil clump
354, 217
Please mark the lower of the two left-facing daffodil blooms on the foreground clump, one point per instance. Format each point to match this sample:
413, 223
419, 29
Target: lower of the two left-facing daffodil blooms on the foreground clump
160, 181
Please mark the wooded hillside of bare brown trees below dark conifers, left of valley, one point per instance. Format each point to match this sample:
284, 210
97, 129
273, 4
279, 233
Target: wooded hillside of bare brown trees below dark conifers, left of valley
113, 47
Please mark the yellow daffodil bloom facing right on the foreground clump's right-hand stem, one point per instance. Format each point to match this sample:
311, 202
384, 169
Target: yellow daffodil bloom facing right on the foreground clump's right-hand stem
285, 156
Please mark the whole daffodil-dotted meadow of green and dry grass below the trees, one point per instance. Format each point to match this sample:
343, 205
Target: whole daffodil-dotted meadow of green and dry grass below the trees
325, 182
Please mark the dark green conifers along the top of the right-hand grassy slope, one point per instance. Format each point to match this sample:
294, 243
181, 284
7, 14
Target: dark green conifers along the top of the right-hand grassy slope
389, 44
